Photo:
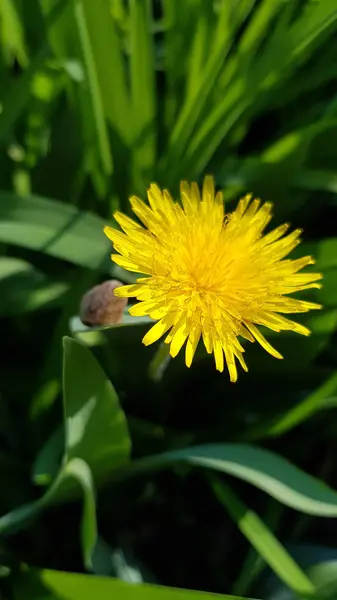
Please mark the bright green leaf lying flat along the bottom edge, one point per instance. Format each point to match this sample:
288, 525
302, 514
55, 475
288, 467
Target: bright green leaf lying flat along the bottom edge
70, 586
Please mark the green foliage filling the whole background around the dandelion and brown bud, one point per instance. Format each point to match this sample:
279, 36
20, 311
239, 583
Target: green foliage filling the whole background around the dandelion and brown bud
153, 474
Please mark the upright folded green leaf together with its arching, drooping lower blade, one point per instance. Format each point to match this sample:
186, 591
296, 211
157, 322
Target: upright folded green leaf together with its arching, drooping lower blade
96, 442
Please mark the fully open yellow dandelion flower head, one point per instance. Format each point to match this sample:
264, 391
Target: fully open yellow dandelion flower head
210, 275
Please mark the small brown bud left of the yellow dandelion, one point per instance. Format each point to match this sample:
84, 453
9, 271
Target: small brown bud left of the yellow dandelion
100, 306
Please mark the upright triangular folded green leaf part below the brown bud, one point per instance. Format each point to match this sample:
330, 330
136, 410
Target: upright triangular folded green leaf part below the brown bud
96, 428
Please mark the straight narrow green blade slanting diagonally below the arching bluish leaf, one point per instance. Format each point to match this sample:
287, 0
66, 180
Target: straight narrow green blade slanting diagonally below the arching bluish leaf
262, 539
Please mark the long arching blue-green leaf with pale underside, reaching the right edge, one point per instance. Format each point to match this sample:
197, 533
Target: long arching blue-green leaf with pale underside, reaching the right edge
264, 469
